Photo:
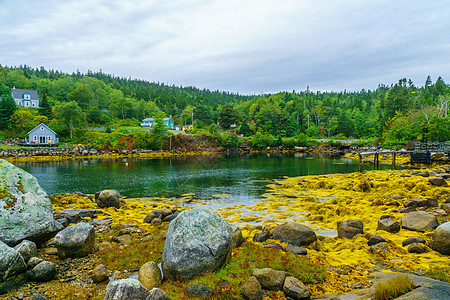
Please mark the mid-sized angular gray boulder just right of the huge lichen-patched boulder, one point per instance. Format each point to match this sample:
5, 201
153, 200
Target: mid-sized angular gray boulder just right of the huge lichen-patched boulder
75, 241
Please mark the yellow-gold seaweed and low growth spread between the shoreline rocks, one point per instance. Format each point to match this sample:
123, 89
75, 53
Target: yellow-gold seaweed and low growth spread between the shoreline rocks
337, 265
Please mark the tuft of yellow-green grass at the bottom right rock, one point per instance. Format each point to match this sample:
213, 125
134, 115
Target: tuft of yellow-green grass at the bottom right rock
394, 287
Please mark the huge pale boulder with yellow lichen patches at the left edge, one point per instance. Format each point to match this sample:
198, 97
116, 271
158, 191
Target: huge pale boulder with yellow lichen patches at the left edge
25, 210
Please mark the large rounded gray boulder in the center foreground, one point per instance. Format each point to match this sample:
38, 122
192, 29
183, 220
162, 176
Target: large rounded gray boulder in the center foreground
197, 241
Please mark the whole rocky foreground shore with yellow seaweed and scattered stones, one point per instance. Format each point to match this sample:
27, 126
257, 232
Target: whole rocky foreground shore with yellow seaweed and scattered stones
385, 220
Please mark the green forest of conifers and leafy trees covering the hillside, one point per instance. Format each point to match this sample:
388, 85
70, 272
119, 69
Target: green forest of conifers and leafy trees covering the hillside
390, 115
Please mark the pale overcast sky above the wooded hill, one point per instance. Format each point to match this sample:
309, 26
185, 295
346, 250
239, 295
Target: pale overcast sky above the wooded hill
249, 47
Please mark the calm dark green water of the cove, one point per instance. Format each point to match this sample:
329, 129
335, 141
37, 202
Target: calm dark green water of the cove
242, 177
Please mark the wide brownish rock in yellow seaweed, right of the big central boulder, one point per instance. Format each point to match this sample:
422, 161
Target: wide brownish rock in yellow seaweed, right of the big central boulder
294, 233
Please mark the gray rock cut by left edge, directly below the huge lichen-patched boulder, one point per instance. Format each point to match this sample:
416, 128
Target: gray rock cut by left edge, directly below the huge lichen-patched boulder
11, 262
